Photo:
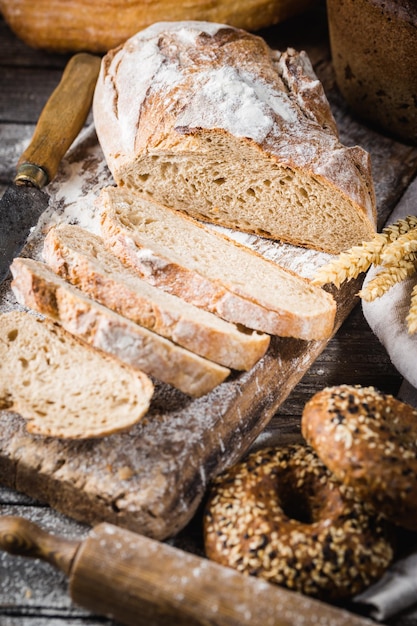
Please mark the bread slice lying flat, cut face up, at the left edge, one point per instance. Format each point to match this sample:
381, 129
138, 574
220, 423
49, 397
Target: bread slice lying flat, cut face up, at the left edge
61, 386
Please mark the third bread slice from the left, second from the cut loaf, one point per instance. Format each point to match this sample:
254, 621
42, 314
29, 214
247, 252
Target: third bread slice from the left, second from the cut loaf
81, 258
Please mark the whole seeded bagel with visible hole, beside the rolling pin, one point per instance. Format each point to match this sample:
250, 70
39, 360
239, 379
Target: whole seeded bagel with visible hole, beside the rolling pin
282, 516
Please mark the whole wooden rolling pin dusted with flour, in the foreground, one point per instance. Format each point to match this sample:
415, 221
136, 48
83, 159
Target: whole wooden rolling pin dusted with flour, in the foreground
139, 581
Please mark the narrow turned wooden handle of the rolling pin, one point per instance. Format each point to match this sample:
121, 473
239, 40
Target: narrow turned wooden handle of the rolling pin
24, 538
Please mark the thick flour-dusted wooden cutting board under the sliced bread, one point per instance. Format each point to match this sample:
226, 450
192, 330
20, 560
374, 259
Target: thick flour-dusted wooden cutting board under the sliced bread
152, 478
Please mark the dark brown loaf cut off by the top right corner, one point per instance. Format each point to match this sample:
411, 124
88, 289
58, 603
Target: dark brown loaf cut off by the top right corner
378, 81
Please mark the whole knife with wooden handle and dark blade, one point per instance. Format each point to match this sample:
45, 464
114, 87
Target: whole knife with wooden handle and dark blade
60, 121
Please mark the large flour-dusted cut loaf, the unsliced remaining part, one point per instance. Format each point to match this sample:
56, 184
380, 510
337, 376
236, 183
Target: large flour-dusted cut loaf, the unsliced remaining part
220, 126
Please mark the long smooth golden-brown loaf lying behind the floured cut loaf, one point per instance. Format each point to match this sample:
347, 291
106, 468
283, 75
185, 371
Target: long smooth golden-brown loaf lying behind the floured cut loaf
95, 26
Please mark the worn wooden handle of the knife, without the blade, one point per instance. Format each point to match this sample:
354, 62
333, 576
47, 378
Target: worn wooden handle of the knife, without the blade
61, 120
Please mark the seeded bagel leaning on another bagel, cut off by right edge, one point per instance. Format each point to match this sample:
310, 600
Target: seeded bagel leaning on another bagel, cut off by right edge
368, 439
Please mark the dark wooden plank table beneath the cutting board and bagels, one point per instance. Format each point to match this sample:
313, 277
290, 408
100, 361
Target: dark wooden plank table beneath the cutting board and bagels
33, 593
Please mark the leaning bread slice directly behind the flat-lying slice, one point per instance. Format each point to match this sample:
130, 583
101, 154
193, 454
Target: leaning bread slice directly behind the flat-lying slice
38, 287
